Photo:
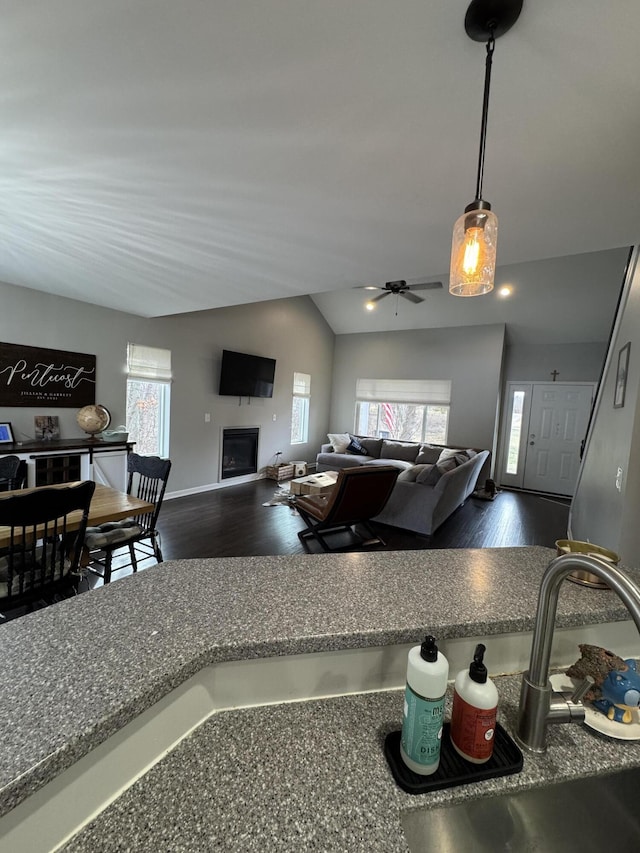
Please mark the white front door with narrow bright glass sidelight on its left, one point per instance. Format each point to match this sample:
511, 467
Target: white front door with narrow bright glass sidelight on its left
543, 453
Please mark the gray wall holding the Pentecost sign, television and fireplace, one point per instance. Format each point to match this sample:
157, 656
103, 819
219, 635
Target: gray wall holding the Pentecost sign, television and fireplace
290, 330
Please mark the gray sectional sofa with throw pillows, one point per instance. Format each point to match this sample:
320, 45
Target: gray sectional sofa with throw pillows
434, 480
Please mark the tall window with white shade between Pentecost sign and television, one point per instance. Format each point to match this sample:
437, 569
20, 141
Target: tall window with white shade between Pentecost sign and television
148, 398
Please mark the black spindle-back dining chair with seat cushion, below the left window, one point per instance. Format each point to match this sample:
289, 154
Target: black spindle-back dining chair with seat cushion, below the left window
147, 480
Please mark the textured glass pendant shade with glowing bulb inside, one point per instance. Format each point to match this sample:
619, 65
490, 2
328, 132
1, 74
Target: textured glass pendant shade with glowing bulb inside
473, 253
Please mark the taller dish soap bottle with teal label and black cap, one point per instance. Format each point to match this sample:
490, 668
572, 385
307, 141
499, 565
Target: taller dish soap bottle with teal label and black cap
422, 720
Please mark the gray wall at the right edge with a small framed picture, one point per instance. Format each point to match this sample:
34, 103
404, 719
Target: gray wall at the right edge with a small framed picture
600, 512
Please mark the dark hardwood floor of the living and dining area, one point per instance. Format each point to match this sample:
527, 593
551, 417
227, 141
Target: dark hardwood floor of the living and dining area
233, 522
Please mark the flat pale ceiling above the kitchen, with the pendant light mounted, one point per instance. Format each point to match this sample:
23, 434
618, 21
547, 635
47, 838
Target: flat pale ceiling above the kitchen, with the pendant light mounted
161, 157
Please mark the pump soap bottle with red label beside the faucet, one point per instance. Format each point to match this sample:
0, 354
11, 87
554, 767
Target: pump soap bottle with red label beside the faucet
475, 704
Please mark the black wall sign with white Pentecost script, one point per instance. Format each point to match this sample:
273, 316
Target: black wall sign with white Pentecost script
32, 376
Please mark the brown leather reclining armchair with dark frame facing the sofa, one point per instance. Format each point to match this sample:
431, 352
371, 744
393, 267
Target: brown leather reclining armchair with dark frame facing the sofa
358, 495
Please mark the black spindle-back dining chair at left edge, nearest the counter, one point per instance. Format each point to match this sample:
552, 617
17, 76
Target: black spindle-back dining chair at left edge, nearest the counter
45, 529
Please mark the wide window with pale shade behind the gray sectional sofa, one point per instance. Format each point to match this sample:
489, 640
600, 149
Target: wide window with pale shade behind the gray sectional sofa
404, 409
